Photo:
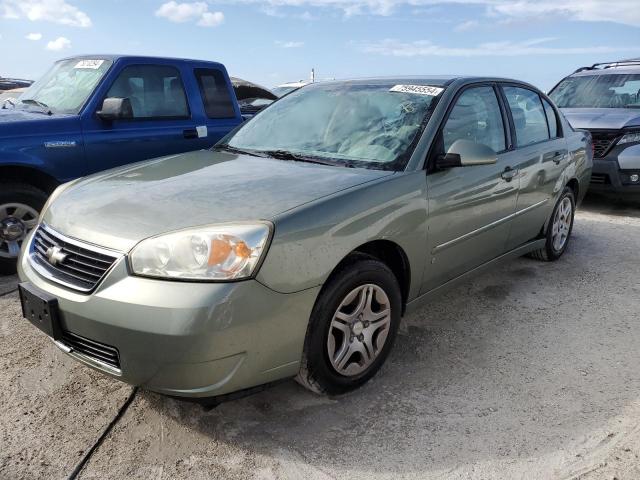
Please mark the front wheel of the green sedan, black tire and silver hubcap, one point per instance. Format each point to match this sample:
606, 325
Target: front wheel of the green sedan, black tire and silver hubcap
345, 319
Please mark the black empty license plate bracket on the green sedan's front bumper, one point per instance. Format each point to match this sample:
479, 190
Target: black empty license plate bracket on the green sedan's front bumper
41, 309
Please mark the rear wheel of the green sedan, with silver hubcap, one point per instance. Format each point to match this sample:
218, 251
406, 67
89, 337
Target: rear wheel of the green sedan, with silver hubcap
559, 229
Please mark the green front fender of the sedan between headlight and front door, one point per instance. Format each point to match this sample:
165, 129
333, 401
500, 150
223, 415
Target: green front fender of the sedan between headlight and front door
310, 241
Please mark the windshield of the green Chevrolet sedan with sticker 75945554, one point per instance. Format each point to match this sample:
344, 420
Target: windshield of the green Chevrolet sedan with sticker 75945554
364, 125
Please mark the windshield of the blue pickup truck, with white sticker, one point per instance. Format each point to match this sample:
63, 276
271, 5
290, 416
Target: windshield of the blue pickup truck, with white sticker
66, 86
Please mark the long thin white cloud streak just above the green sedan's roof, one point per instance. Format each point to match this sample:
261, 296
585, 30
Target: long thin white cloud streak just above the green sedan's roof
425, 48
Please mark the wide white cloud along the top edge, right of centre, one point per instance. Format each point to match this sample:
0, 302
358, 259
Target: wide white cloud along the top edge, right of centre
617, 11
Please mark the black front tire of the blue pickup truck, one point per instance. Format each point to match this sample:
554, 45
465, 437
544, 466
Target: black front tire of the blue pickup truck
31, 200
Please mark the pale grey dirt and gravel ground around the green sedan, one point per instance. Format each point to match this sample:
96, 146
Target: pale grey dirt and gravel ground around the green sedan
530, 371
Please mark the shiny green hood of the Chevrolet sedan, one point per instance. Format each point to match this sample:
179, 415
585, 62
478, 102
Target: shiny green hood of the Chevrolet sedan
118, 208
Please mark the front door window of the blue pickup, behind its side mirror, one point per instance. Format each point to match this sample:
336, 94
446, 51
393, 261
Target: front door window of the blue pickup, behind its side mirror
155, 92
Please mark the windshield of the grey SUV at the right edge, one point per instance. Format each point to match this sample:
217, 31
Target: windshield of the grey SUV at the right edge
611, 90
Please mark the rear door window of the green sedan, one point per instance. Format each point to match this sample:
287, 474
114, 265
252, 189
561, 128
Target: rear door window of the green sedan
529, 117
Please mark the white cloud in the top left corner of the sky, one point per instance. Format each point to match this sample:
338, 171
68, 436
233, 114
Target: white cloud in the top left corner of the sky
56, 11
